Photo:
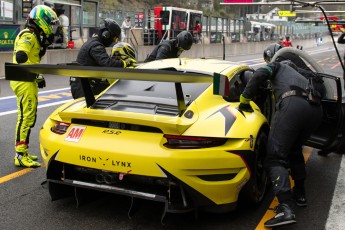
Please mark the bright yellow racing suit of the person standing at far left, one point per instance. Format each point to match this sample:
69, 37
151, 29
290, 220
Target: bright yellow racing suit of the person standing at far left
26, 92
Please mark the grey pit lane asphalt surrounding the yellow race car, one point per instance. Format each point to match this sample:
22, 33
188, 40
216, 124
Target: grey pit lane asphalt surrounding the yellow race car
26, 204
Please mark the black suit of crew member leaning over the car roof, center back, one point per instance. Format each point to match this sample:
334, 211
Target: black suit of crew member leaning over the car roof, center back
166, 49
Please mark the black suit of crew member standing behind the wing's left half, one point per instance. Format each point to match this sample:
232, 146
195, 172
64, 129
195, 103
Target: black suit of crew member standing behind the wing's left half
93, 53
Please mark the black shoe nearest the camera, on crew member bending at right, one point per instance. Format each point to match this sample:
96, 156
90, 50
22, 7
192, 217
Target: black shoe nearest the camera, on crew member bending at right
284, 215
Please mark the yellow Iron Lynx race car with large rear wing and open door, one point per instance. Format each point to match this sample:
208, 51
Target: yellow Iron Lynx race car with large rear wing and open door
167, 131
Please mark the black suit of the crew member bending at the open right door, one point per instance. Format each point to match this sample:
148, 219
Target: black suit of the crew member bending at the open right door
293, 122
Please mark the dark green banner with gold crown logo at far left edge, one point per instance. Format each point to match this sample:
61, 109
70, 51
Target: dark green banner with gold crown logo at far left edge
8, 34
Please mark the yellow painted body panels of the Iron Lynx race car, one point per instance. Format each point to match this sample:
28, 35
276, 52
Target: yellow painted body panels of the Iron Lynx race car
143, 153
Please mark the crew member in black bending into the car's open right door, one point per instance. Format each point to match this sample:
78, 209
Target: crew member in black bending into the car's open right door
298, 113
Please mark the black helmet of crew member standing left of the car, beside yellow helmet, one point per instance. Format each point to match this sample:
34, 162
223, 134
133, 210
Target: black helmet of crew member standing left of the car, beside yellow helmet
109, 30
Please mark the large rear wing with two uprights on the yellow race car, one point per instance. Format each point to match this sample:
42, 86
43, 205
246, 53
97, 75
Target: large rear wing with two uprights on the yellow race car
28, 73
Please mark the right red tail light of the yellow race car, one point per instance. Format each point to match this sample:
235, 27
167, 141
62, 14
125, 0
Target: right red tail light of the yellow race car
188, 142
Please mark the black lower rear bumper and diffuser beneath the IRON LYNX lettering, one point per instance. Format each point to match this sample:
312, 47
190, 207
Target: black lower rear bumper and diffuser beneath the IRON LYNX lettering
66, 180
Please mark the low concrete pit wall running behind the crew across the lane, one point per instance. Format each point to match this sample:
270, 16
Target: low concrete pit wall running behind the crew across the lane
54, 56
